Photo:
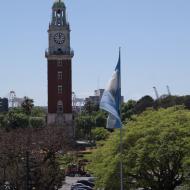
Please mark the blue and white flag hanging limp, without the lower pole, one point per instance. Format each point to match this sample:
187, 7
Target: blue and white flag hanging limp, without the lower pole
111, 99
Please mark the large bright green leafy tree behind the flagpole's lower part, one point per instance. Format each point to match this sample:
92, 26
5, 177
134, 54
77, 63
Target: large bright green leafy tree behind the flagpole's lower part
156, 152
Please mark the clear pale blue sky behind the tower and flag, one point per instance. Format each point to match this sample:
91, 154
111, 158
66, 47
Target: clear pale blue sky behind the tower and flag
154, 36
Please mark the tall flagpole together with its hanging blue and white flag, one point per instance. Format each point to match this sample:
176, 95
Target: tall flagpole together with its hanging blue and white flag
111, 102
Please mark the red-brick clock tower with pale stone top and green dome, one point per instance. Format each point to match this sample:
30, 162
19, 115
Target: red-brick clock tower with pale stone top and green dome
59, 57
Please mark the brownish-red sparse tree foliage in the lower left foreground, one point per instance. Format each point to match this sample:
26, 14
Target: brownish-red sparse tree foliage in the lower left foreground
32, 154
